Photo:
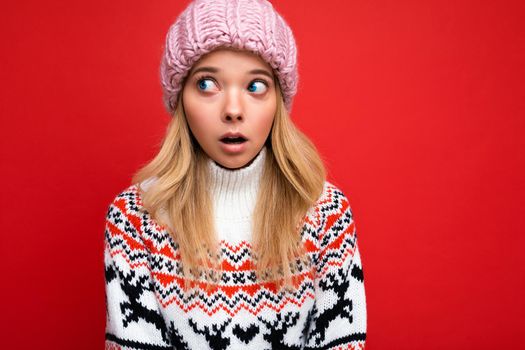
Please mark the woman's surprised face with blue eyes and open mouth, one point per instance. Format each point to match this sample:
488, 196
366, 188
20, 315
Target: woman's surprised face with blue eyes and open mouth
229, 91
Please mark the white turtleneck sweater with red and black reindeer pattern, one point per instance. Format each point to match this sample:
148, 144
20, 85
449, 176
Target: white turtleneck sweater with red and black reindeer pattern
146, 308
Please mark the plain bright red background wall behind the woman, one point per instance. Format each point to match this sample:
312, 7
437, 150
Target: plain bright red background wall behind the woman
417, 107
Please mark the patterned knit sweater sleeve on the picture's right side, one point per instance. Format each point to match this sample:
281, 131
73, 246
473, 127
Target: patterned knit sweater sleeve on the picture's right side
338, 318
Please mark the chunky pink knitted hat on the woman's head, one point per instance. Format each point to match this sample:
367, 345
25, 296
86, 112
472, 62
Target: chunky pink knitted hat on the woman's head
251, 25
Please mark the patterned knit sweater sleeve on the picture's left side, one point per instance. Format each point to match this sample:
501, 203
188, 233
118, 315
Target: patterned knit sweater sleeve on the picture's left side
133, 316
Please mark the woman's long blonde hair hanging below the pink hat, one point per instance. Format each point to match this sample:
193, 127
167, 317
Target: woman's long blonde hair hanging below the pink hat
292, 181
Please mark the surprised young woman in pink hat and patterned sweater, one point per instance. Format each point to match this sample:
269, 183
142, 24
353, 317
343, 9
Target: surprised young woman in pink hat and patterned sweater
231, 237
